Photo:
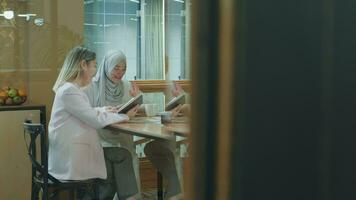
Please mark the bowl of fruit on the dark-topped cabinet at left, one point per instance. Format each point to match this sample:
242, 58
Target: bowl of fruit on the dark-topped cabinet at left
12, 96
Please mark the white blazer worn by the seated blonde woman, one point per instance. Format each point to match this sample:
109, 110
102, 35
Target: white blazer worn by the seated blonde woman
75, 152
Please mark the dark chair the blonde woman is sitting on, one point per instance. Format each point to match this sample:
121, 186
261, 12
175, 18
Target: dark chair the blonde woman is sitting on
41, 179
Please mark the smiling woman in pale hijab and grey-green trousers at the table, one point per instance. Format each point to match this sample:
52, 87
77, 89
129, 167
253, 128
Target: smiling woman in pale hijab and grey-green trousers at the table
109, 89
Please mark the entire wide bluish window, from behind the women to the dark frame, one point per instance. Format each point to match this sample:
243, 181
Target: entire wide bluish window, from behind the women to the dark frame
152, 34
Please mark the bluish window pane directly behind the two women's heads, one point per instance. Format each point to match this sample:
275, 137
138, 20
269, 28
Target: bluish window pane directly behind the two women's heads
113, 25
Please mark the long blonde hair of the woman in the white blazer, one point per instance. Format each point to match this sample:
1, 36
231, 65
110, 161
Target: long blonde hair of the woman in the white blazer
71, 66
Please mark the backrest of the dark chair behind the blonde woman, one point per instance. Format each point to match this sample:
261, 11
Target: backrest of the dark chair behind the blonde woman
39, 168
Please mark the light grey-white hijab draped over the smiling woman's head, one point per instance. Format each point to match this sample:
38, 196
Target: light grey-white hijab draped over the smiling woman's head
107, 92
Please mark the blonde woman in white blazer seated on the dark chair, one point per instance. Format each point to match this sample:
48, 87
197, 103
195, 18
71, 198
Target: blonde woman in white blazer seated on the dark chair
75, 152
